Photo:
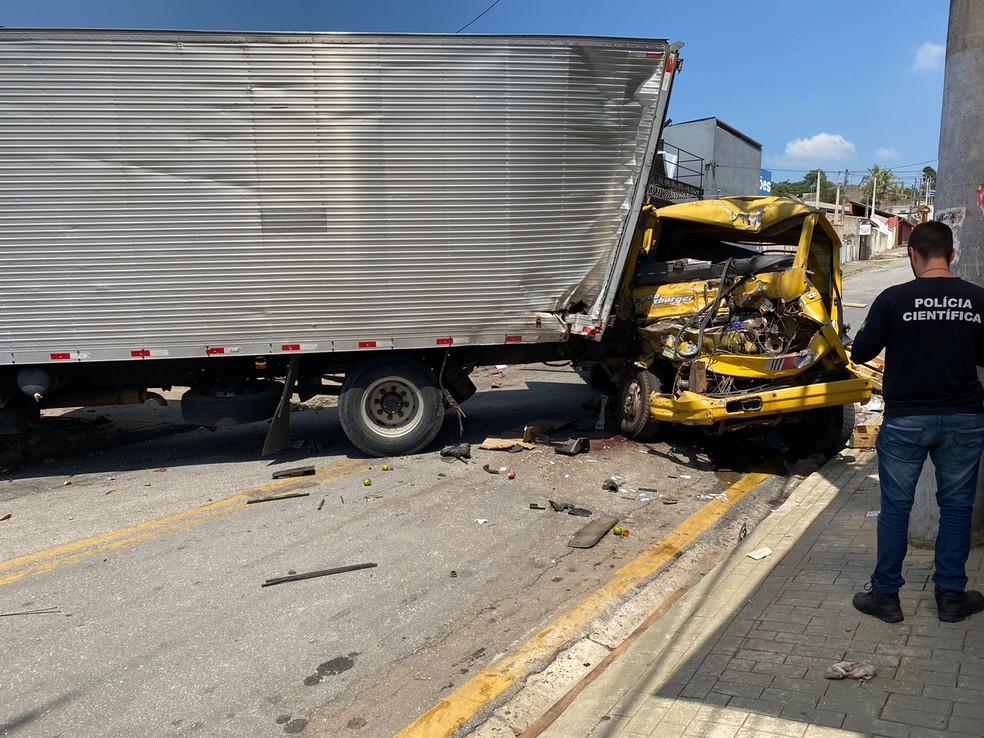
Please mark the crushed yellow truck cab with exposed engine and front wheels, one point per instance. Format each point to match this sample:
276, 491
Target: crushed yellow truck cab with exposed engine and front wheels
736, 304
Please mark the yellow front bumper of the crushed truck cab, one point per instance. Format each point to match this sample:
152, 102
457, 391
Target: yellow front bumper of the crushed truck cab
691, 408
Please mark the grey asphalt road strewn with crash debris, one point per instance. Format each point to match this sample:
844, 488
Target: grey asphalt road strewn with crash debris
148, 563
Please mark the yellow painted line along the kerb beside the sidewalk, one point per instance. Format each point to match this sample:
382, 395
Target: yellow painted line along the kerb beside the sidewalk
453, 711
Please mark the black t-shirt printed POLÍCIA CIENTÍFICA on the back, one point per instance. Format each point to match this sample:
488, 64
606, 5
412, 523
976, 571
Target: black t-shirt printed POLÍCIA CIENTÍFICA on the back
933, 336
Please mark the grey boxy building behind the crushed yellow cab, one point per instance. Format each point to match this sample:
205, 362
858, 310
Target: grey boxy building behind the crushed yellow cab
731, 161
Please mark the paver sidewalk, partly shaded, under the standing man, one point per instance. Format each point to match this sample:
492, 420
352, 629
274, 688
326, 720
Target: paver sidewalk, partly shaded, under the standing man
743, 653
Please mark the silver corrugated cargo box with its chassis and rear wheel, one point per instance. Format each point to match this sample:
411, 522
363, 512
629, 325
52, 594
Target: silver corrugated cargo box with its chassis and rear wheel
248, 214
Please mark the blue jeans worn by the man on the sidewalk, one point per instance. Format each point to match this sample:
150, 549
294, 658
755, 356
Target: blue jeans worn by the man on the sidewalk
955, 444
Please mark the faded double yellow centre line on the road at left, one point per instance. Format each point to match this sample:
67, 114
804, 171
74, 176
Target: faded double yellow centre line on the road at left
67, 553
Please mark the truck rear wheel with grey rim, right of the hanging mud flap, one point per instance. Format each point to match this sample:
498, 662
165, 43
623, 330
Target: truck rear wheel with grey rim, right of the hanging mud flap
391, 406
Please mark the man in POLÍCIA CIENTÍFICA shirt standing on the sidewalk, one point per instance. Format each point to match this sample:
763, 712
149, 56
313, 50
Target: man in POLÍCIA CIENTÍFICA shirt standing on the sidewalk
932, 332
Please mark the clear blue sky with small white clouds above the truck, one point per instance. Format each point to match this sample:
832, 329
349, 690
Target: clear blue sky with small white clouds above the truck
839, 85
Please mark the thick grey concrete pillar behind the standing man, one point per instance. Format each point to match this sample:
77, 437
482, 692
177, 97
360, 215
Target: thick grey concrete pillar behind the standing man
959, 202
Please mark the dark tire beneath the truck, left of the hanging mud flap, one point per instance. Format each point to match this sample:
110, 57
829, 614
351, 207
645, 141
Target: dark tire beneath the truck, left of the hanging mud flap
230, 403
